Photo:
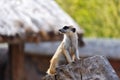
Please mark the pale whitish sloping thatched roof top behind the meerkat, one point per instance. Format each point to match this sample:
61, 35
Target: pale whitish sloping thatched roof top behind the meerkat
25, 17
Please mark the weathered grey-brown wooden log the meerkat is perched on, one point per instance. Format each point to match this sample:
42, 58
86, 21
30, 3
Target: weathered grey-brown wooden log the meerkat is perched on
91, 68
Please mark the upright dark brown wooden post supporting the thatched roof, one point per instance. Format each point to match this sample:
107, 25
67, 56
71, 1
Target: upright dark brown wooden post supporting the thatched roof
16, 61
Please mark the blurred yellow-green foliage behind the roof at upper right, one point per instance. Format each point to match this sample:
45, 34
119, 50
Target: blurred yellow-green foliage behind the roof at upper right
99, 18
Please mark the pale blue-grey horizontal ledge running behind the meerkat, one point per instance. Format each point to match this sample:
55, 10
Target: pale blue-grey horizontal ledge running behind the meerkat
99, 46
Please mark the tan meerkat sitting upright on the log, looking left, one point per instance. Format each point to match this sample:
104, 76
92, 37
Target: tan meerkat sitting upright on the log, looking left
68, 48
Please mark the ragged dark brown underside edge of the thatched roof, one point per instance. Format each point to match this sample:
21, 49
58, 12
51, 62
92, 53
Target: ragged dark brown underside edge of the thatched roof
41, 36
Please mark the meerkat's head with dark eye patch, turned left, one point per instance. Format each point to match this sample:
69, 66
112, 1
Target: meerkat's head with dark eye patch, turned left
67, 30
